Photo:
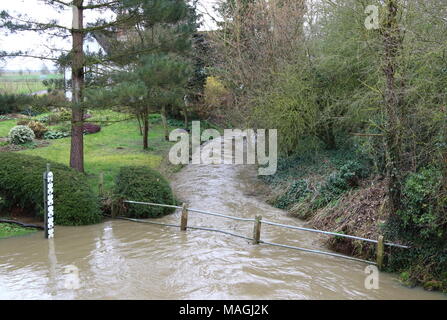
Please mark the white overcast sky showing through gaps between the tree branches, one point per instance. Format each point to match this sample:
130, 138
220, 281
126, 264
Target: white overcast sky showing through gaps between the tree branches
40, 43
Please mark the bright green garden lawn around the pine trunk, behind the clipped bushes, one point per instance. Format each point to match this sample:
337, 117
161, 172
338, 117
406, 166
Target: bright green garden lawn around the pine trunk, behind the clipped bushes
116, 145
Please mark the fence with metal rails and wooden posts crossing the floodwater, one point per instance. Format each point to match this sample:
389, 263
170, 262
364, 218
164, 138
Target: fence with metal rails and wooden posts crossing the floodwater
256, 239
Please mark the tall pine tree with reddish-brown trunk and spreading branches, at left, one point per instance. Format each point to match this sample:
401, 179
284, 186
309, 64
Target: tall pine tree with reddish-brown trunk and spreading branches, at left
138, 15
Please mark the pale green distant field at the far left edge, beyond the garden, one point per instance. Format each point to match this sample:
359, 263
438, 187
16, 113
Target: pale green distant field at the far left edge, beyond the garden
25, 83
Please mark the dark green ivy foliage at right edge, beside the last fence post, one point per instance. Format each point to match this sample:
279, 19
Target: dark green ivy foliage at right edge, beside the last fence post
422, 223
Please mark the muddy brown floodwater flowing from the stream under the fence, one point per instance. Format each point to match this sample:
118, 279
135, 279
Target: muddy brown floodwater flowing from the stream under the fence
126, 260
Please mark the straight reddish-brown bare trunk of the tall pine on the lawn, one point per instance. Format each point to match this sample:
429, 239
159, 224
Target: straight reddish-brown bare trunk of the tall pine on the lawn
77, 75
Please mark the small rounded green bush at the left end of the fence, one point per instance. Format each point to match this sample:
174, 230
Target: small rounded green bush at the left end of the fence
143, 184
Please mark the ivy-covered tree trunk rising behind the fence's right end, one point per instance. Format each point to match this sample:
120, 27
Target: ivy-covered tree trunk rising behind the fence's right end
393, 102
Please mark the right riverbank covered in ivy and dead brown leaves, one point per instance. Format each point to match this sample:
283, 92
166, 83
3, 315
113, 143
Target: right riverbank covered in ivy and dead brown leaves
337, 191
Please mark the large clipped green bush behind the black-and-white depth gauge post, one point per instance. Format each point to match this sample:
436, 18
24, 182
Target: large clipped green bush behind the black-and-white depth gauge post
21, 184
